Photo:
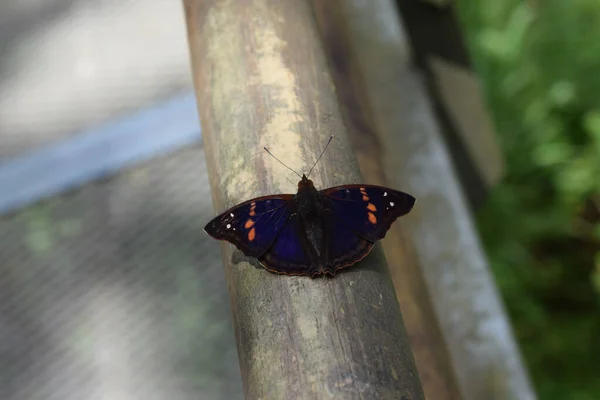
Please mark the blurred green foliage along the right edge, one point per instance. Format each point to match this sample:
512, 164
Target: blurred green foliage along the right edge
539, 62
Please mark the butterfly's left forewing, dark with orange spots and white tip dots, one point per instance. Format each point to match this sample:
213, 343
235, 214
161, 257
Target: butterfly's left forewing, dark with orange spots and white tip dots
254, 225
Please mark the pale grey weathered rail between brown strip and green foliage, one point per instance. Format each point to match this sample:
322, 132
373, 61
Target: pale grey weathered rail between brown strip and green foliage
472, 318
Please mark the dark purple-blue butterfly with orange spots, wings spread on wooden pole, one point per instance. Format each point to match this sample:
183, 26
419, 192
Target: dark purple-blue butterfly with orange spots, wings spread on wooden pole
313, 232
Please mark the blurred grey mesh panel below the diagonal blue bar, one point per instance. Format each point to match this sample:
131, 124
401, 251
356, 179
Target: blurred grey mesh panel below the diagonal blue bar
114, 291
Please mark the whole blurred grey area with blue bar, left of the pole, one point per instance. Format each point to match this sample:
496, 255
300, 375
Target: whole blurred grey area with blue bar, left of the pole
109, 288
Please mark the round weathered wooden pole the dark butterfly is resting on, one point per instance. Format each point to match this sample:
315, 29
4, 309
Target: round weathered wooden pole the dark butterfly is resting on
261, 79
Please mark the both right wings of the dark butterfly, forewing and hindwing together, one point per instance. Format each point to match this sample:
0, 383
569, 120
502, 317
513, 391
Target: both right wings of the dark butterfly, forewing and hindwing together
360, 215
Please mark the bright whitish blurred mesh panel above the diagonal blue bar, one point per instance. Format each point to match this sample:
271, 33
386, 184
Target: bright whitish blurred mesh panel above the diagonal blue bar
68, 65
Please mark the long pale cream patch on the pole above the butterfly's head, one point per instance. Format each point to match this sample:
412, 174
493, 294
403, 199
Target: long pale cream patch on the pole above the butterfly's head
278, 86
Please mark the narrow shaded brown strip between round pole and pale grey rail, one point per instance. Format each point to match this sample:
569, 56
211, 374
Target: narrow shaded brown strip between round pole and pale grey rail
426, 340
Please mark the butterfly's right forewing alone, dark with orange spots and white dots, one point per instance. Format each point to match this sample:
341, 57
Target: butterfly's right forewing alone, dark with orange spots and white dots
367, 210
